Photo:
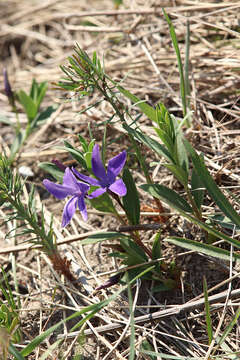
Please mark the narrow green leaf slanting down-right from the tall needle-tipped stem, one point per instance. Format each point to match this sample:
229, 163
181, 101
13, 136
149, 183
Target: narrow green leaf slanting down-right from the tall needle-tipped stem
149, 142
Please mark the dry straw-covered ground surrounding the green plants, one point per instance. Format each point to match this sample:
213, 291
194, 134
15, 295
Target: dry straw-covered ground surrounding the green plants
38, 36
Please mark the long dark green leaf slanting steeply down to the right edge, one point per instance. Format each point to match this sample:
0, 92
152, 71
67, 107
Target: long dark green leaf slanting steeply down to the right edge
212, 188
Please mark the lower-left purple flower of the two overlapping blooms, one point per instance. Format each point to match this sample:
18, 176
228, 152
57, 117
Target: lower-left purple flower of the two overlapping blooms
71, 187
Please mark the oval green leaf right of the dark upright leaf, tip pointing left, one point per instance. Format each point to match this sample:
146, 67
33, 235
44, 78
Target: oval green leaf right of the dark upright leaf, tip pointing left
167, 195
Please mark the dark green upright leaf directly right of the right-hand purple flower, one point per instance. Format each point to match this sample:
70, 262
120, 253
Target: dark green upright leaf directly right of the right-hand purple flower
131, 200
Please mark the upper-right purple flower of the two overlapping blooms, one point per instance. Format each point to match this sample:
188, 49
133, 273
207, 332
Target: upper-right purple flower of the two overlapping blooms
106, 180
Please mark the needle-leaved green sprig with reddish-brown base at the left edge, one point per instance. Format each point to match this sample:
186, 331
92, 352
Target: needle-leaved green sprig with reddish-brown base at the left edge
30, 220
